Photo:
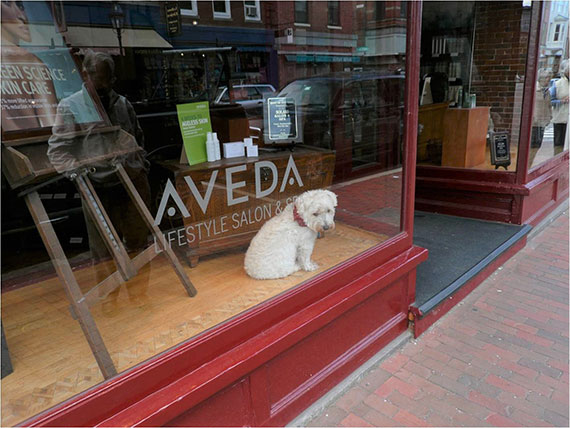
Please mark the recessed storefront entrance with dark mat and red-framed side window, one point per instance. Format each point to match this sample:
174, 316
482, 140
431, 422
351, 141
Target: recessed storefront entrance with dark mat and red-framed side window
488, 165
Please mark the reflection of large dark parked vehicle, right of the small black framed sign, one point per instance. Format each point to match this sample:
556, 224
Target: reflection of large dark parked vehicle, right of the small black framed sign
357, 115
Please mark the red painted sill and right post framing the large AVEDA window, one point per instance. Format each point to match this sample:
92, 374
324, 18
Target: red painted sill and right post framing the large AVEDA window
99, 404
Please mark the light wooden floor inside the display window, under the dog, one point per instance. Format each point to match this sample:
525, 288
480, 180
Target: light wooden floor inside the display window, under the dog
152, 313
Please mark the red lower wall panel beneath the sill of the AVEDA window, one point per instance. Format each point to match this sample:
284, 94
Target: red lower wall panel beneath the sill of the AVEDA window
277, 391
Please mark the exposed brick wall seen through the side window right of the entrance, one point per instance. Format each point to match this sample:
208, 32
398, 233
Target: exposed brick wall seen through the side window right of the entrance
499, 58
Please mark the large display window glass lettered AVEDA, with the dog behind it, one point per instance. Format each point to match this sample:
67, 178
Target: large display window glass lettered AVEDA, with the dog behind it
156, 185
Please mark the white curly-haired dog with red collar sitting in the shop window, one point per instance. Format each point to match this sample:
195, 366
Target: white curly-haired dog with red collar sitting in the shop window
285, 243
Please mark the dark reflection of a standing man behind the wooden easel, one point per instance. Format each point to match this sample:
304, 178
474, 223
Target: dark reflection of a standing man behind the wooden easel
99, 70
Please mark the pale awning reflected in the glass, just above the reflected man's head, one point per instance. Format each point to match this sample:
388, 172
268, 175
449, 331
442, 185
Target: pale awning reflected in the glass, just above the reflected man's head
105, 37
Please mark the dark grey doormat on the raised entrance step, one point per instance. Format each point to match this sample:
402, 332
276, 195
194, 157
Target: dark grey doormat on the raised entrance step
458, 248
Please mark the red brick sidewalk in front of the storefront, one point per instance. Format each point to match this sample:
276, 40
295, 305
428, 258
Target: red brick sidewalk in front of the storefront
499, 358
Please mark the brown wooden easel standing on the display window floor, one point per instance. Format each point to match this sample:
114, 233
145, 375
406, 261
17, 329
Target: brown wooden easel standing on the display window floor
24, 169
